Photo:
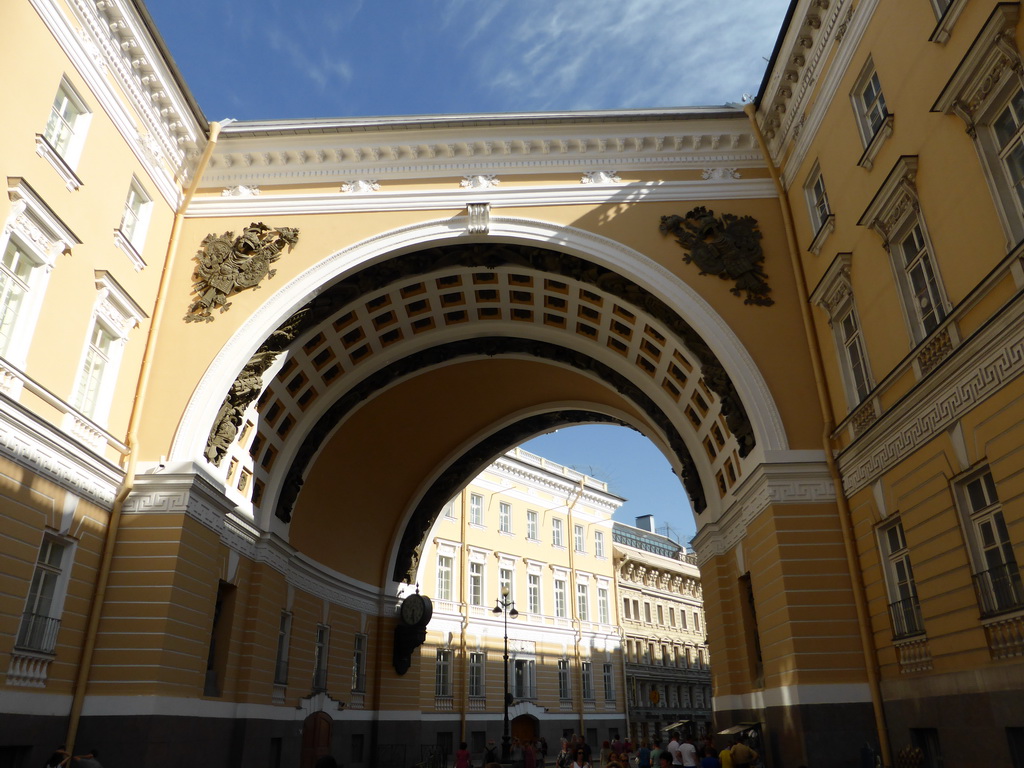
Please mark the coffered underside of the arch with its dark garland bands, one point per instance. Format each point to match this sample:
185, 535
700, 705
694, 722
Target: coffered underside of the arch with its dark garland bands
437, 307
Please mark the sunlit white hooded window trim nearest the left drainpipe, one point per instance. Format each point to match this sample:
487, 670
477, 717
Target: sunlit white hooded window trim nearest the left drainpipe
118, 314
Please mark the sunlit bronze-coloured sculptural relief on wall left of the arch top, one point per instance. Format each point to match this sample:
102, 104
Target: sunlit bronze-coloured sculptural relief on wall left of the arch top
226, 265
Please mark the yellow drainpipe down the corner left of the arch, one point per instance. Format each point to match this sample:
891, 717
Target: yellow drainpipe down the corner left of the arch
132, 441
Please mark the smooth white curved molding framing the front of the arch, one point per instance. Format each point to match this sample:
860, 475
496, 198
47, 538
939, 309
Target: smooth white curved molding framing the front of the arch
190, 441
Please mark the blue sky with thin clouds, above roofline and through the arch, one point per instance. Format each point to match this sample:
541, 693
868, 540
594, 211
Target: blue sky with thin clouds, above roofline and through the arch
263, 60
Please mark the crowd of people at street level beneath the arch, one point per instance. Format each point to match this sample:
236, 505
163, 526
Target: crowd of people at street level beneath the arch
680, 752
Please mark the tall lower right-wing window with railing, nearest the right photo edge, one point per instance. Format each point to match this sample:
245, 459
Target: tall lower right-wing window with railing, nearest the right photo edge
997, 579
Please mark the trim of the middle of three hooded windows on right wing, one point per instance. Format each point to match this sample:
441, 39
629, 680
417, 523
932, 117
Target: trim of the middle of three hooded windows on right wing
893, 214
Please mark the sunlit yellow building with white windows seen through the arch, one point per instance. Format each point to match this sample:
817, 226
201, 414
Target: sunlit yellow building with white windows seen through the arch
544, 532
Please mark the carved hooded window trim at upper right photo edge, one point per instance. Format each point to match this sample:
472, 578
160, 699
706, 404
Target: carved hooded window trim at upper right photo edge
980, 88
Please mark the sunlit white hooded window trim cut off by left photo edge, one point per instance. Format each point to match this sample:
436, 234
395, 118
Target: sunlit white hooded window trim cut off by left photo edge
45, 237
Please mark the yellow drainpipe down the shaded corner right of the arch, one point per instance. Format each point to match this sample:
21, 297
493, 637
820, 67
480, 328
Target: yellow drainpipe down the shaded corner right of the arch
825, 402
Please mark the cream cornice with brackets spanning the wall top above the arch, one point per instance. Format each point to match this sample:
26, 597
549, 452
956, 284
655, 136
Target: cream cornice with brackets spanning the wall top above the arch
506, 145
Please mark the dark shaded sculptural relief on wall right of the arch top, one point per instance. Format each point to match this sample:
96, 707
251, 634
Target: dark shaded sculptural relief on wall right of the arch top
729, 246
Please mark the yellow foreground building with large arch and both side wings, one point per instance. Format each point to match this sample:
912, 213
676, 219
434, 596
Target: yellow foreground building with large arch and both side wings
216, 498
